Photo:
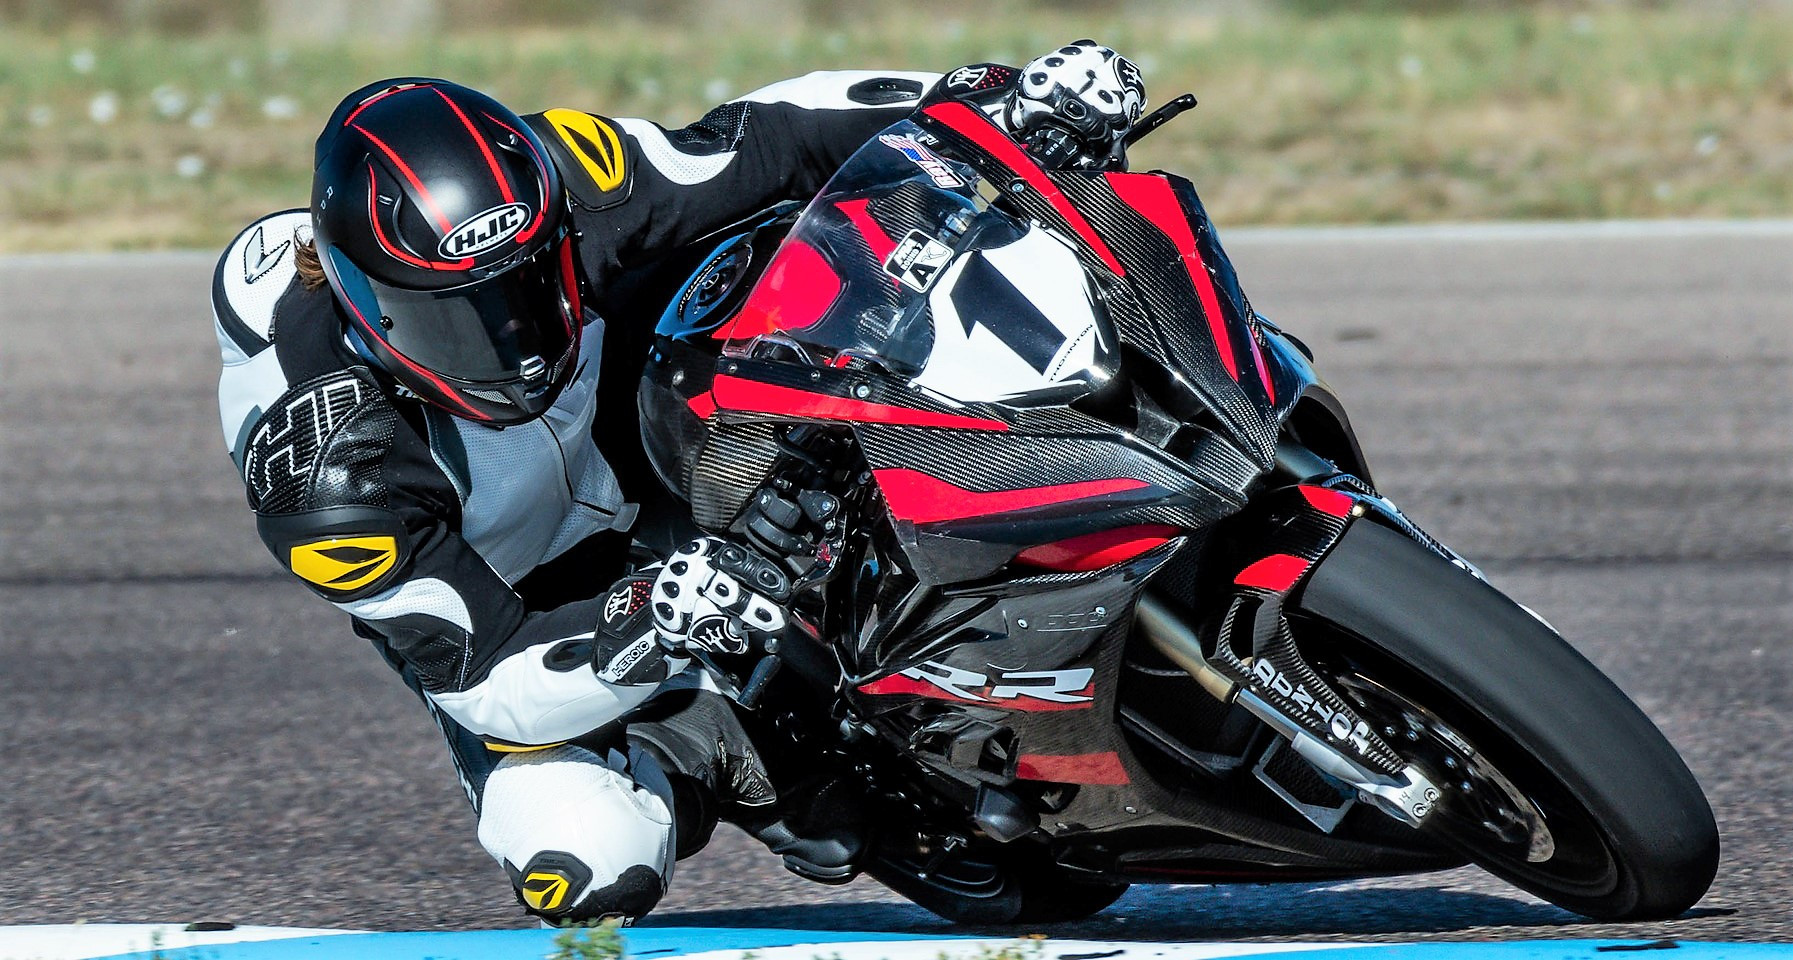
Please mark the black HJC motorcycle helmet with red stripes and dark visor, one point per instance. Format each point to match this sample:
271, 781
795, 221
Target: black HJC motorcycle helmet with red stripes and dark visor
444, 231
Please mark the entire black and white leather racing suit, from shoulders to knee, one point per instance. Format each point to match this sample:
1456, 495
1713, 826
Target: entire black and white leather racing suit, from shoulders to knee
478, 559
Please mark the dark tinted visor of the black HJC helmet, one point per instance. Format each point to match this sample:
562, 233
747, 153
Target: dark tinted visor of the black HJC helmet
510, 327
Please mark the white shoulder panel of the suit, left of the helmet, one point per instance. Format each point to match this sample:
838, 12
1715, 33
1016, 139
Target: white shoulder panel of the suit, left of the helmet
254, 274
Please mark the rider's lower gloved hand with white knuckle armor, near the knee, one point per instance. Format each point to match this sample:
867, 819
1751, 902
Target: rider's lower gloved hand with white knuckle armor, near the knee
716, 597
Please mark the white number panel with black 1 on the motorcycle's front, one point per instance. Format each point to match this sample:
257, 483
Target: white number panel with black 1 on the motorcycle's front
1014, 324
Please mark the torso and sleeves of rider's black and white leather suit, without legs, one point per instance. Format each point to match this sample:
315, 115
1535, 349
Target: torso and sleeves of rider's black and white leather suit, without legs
433, 521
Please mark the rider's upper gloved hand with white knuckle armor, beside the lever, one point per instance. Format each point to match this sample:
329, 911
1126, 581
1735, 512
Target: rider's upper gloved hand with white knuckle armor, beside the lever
1077, 105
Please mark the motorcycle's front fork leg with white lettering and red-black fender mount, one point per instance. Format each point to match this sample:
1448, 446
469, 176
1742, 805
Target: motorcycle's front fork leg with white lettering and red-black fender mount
1249, 656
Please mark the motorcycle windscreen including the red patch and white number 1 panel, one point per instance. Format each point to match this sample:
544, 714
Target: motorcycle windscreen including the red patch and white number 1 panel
903, 265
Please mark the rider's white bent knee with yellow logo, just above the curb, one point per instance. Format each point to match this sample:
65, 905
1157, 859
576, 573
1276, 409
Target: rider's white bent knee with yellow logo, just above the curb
580, 835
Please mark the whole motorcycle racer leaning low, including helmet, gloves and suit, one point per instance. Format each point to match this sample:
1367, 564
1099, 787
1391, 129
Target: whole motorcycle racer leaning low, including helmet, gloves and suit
411, 397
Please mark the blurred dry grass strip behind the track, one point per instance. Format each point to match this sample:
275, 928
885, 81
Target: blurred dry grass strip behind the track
171, 123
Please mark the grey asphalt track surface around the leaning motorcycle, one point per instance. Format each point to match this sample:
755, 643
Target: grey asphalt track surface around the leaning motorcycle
1604, 419
